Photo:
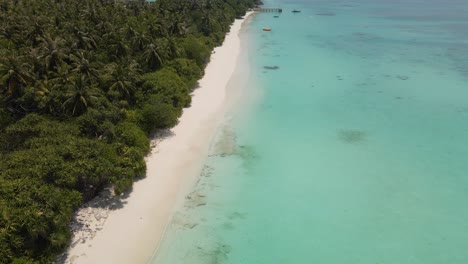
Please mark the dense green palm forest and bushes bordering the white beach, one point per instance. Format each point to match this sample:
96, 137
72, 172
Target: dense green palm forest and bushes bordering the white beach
82, 86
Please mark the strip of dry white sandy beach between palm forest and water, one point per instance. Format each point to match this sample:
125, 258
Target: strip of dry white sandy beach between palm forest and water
130, 230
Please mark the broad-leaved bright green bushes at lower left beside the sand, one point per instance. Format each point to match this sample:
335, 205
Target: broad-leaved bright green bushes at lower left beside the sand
63, 169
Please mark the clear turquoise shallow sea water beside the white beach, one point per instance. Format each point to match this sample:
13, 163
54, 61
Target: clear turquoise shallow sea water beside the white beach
356, 150
